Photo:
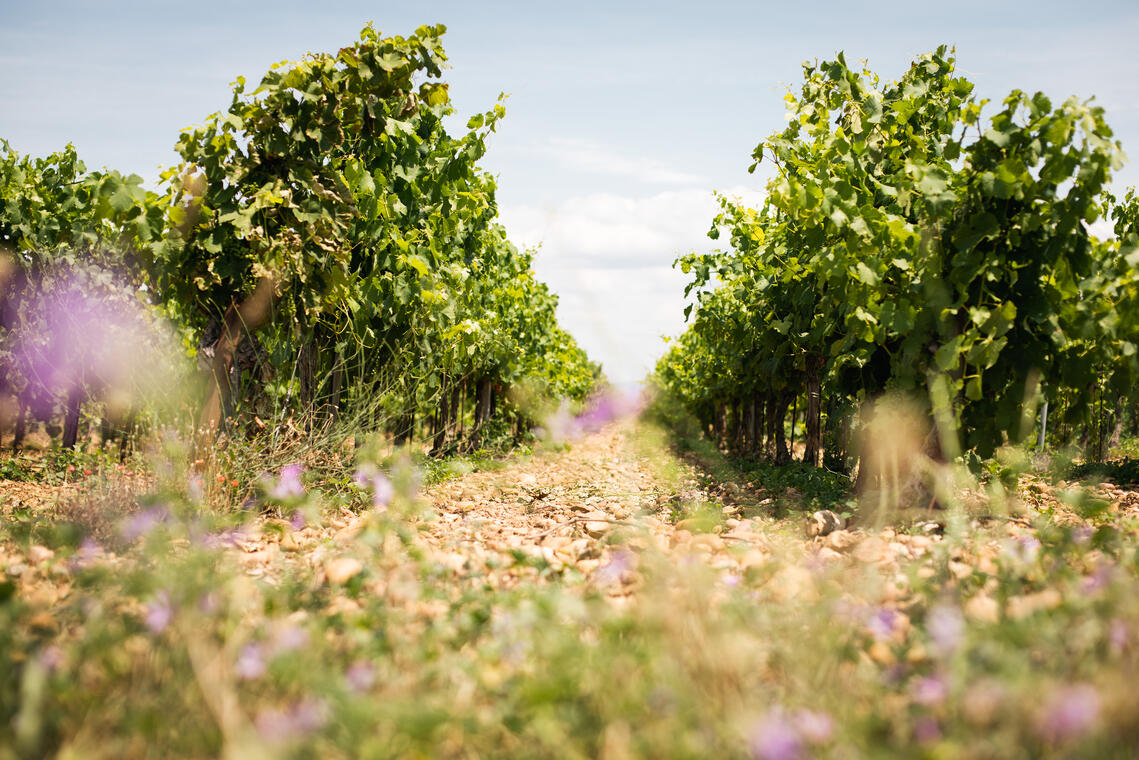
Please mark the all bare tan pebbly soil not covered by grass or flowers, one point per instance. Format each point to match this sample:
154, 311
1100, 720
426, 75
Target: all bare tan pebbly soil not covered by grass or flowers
592, 511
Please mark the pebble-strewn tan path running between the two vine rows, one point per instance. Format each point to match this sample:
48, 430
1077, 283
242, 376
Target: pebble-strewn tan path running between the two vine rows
591, 509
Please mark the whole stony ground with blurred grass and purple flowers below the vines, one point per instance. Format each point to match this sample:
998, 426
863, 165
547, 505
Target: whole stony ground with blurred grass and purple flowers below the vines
599, 599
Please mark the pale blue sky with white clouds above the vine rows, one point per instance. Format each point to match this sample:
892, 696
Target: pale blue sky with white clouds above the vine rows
624, 119
